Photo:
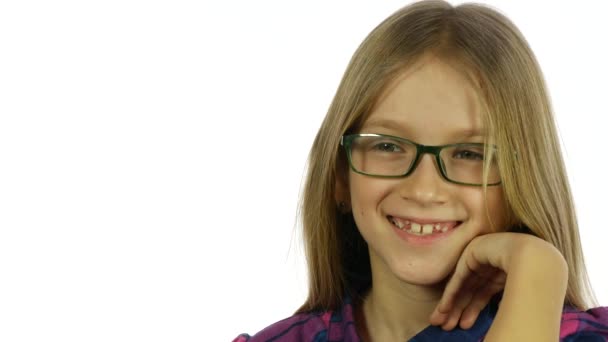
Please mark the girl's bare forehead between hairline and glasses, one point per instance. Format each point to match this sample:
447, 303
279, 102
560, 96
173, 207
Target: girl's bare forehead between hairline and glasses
432, 100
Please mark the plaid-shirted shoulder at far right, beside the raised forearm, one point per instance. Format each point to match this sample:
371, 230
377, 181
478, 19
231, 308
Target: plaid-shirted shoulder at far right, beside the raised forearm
590, 325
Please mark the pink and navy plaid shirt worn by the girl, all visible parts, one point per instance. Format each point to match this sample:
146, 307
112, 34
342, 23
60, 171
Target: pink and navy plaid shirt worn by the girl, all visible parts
339, 326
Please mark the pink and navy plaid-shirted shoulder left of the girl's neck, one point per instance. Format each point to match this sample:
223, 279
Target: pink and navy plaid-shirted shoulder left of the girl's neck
319, 326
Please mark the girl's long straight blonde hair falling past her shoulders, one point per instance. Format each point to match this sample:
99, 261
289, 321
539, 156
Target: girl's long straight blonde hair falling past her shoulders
518, 117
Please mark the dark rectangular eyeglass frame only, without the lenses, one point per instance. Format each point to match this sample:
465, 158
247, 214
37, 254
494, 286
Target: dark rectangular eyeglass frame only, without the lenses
346, 142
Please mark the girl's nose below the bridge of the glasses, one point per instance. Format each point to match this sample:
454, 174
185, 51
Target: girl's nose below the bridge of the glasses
425, 183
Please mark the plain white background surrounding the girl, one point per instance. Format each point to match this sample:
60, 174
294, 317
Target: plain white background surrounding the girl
152, 153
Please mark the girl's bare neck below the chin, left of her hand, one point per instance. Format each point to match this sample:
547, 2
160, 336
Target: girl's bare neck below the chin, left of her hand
395, 310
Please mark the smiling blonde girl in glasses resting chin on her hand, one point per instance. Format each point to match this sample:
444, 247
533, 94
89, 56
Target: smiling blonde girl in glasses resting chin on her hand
436, 194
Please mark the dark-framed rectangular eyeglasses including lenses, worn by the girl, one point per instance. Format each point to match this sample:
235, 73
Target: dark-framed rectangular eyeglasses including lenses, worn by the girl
388, 156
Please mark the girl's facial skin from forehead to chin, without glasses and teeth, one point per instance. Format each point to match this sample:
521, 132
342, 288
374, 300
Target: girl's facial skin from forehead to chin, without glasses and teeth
431, 104
